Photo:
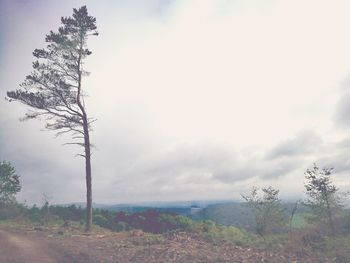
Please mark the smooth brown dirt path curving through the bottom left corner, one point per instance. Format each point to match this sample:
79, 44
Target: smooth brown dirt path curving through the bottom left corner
17, 248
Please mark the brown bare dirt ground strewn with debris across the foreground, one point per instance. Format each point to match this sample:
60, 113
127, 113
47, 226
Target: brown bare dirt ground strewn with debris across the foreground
58, 246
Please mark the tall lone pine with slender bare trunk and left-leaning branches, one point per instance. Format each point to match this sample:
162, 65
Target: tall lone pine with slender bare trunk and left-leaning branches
54, 89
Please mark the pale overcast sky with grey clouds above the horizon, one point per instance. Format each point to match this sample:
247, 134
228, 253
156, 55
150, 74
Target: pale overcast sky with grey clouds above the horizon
194, 99
